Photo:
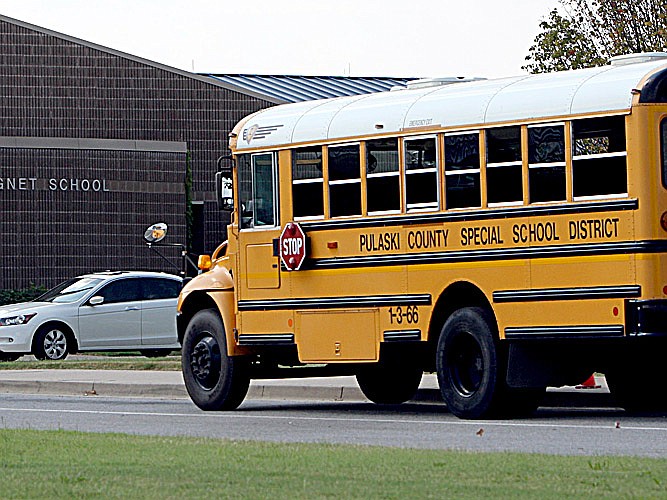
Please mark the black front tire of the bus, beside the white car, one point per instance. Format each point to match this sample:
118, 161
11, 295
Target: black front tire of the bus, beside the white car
214, 380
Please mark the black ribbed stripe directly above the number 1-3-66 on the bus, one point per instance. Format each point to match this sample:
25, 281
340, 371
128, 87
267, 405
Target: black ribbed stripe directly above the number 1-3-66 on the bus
335, 302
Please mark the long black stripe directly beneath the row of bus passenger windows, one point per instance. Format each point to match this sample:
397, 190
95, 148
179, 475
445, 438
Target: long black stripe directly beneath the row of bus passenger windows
499, 213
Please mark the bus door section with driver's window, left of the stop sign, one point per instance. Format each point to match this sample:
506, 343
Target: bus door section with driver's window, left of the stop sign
258, 220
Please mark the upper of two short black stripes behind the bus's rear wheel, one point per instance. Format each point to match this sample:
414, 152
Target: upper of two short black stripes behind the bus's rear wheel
594, 292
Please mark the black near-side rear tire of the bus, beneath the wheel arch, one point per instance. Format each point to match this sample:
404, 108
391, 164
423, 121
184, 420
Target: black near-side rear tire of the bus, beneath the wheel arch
468, 364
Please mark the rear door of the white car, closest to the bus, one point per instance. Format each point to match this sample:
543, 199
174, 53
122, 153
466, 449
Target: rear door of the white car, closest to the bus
158, 311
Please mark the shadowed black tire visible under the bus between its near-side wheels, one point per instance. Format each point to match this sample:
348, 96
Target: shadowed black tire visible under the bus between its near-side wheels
390, 381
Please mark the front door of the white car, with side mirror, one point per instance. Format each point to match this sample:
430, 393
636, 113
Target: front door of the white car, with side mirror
116, 322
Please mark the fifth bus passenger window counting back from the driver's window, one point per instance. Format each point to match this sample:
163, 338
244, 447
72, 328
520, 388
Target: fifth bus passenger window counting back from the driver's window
462, 171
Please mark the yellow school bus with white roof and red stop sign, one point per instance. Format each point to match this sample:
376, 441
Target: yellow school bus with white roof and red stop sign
506, 234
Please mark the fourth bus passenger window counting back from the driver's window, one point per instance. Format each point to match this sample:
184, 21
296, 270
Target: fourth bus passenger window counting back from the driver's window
421, 174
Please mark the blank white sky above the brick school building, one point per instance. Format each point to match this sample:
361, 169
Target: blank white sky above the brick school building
417, 38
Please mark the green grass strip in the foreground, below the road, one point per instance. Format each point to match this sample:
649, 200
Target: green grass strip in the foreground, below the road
59, 464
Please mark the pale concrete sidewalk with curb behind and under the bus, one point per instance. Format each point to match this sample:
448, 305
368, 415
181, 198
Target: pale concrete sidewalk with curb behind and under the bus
169, 385
